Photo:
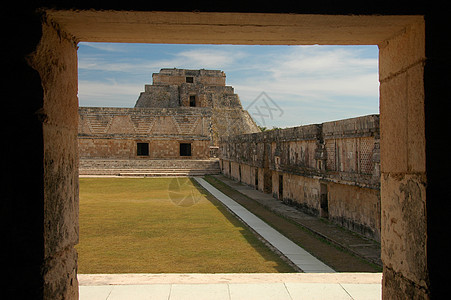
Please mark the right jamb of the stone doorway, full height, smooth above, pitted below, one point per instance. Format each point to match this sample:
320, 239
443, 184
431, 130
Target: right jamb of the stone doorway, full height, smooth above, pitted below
403, 165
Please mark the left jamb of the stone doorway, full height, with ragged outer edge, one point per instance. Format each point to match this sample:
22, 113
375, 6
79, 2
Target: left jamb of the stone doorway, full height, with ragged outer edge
55, 59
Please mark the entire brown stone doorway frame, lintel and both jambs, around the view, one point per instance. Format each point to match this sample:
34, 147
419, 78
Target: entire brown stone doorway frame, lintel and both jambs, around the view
401, 41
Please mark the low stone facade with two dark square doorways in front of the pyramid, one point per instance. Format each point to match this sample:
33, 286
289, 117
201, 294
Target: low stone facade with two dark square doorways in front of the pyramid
115, 132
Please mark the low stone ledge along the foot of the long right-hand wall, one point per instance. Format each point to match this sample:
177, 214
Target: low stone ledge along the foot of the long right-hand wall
363, 247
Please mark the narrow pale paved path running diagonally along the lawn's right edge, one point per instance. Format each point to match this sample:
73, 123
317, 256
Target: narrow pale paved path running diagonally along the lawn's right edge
297, 255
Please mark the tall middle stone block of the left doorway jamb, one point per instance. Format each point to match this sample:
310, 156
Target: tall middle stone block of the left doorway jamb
60, 189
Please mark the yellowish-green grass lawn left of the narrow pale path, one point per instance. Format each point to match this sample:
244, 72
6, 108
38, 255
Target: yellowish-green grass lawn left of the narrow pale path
163, 225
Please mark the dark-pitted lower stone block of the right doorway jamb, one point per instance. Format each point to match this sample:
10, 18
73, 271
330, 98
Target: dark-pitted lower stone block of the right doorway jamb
403, 226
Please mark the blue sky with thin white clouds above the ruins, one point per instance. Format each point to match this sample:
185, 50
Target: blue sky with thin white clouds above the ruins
308, 84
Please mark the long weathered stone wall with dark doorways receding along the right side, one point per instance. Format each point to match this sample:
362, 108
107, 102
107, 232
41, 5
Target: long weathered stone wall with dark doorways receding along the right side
329, 169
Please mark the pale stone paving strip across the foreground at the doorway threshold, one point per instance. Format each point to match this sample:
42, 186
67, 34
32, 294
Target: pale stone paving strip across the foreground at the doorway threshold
231, 286
